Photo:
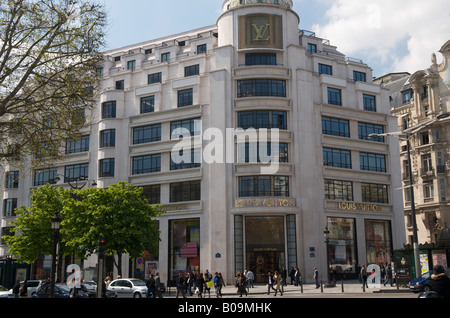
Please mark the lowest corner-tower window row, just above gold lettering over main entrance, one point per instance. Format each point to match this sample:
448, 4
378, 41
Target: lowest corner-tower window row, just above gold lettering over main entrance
264, 186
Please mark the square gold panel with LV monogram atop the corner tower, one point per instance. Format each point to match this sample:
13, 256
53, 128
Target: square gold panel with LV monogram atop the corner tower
260, 31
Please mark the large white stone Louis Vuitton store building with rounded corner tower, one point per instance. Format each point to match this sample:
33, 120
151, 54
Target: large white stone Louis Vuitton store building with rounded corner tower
227, 210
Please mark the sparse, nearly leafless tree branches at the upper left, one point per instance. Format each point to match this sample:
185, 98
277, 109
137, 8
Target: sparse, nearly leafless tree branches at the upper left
49, 54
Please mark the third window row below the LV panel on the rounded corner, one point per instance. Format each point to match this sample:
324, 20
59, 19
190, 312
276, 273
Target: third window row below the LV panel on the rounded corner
262, 119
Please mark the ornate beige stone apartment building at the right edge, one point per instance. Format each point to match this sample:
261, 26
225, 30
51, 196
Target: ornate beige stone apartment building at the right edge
421, 99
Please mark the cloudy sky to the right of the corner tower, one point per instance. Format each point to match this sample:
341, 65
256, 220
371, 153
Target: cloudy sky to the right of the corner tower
396, 35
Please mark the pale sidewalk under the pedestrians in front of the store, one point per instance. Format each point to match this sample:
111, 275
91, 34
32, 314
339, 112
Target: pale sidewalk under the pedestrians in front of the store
350, 287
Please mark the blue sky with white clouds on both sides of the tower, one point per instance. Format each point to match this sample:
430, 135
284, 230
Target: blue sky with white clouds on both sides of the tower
390, 36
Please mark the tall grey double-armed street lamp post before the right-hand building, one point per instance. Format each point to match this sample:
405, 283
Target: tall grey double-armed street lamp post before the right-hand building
407, 135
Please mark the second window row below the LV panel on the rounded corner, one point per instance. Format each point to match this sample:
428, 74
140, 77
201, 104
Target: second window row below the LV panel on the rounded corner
261, 87
